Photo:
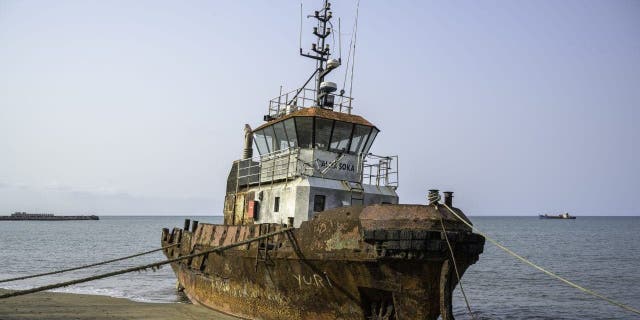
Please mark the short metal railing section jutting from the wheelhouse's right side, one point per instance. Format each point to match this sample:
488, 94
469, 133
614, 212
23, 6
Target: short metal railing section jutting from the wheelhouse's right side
380, 171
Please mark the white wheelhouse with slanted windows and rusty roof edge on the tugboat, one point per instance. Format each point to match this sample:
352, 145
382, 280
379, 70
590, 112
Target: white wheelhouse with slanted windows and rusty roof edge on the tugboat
308, 159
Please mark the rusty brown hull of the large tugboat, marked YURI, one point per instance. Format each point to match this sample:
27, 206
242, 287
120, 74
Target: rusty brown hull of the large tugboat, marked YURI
381, 261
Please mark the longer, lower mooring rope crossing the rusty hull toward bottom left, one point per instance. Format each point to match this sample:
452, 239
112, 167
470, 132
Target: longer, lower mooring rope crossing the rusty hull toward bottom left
138, 268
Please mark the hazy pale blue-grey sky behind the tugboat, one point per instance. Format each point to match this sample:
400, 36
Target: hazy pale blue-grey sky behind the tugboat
138, 107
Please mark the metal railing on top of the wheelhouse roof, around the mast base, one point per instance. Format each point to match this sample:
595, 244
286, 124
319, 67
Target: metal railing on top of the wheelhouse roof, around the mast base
293, 100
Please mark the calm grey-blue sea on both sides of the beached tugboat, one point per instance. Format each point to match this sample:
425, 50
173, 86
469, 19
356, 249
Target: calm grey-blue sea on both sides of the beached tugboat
600, 253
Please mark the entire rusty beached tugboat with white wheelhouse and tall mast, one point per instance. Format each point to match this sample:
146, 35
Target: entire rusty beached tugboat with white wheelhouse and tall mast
350, 250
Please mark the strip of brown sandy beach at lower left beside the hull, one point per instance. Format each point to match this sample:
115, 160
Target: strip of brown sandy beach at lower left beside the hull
58, 306
